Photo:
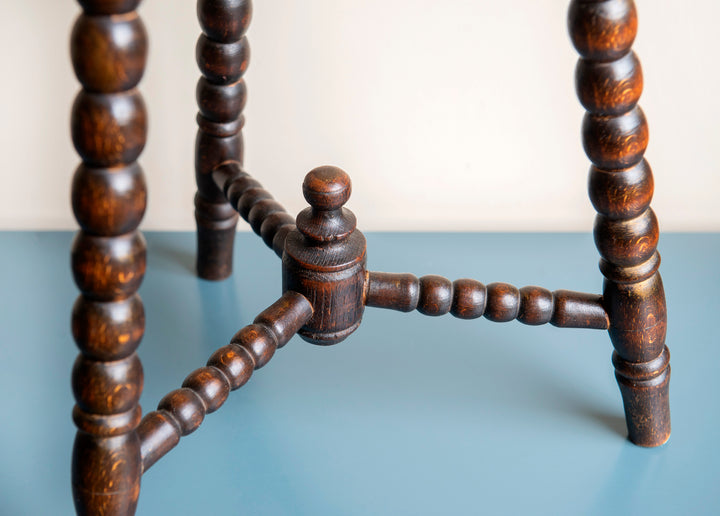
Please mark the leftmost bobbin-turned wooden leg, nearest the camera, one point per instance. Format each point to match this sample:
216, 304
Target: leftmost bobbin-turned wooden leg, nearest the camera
109, 125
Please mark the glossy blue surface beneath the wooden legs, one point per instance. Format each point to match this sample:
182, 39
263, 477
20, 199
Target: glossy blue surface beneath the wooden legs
410, 415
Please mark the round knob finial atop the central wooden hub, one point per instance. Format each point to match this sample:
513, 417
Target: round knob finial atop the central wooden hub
327, 189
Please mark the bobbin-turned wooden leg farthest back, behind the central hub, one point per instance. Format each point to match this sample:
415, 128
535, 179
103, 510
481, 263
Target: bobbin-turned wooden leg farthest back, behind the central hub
222, 54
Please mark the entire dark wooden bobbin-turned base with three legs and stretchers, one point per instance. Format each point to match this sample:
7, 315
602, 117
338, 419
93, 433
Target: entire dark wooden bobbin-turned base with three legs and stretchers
326, 284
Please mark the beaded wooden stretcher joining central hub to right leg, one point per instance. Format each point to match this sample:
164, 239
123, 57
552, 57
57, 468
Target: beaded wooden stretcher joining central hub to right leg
499, 302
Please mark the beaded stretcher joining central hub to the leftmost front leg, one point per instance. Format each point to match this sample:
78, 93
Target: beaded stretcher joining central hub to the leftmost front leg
205, 390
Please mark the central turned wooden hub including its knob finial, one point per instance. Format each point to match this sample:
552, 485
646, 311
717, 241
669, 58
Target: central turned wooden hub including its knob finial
325, 258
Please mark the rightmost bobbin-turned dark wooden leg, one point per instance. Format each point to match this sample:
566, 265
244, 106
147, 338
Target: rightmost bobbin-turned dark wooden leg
615, 135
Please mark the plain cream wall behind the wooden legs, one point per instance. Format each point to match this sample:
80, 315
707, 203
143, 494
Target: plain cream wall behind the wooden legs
456, 115
